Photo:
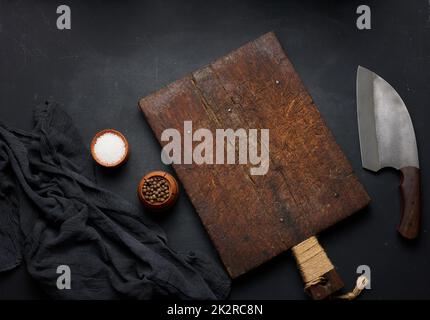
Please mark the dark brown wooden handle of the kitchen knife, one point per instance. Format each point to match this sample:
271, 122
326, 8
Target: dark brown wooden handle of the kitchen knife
411, 203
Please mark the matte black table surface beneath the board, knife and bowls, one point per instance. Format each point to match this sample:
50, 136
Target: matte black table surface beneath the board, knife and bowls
120, 51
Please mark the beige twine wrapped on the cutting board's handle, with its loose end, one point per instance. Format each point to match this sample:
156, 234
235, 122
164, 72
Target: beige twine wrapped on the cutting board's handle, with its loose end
314, 263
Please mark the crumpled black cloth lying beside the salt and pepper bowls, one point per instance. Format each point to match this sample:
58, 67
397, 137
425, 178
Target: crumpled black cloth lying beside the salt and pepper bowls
112, 250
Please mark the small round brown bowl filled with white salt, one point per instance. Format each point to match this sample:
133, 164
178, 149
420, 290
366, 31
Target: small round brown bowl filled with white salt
109, 148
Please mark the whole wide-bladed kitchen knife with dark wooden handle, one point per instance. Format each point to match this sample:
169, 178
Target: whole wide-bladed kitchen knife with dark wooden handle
387, 139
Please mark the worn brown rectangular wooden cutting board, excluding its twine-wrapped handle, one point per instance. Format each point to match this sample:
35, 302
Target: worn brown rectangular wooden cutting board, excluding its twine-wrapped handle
309, 185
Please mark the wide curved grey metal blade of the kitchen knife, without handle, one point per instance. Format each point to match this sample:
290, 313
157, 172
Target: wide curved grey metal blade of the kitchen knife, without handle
387, 137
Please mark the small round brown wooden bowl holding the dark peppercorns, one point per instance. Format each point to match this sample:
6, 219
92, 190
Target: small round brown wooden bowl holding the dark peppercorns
173, 191
